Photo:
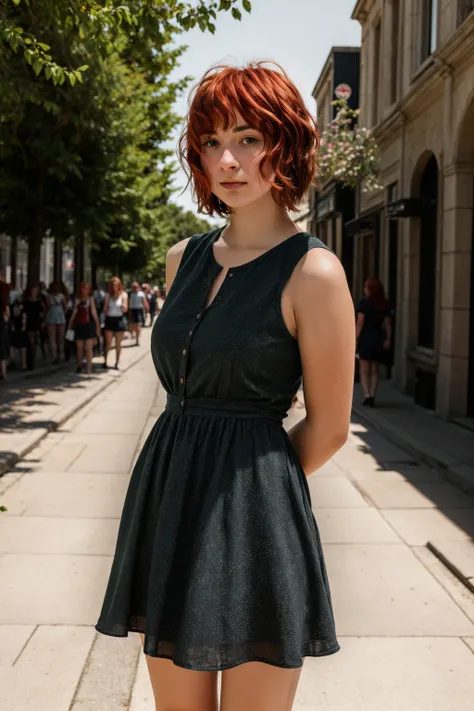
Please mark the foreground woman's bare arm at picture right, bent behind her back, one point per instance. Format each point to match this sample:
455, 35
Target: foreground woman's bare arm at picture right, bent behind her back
324, 316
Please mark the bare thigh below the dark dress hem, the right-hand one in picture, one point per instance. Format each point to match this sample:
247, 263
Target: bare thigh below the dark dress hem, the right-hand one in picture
257, 686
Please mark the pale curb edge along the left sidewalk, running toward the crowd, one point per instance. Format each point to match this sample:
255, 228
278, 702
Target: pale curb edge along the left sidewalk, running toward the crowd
65, 414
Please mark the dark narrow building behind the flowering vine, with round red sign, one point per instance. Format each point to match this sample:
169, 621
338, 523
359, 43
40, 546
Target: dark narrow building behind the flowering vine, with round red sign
333, 205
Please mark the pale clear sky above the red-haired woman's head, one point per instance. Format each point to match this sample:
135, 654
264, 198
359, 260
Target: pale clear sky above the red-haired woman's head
298, 34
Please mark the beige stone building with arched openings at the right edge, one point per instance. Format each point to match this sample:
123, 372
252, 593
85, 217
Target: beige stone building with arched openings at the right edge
417, 93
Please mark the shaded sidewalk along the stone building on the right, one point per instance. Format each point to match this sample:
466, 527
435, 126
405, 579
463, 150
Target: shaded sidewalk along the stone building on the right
446, 446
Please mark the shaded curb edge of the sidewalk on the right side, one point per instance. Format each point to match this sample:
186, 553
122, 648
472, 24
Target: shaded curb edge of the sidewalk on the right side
456, 472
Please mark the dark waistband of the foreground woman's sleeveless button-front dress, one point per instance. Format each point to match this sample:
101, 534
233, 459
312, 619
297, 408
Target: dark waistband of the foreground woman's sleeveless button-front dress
215, 407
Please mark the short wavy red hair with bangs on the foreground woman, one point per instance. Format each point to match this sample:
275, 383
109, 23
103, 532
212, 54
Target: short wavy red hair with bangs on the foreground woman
269, 102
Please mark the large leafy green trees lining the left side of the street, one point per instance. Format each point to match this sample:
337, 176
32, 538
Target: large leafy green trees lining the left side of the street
85, 106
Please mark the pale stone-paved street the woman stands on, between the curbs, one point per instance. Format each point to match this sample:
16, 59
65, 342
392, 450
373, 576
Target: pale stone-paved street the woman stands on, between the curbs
404, 621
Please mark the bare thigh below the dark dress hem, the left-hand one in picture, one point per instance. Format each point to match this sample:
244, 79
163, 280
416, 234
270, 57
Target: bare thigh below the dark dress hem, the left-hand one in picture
178, 689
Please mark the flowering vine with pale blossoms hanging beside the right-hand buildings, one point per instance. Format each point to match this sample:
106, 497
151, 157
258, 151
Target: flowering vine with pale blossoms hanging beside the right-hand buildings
348, 152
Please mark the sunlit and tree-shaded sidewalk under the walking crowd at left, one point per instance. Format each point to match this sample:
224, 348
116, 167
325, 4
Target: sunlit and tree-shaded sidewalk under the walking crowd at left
31, 407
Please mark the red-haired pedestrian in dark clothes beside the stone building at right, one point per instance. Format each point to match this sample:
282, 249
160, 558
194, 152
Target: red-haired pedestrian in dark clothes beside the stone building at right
373, 333
